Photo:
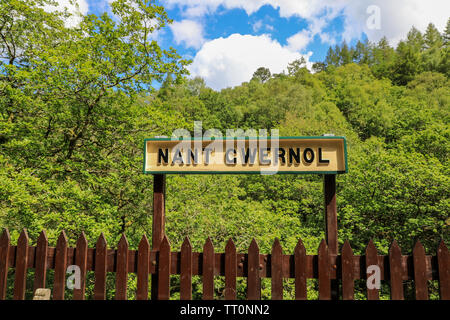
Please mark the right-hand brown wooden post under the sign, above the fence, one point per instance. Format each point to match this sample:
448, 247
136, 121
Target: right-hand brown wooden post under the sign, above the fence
331, 213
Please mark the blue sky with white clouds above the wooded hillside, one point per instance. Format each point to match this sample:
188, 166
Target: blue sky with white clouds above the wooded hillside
227, 40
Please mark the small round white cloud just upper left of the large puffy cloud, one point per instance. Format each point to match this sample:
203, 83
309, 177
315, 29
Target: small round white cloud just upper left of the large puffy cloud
188, 32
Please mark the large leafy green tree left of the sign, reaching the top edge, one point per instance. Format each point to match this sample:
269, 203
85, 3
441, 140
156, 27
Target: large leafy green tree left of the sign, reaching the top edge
68, 118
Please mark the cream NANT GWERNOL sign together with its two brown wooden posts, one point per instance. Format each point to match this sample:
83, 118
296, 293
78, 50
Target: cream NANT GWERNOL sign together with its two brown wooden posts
326, 155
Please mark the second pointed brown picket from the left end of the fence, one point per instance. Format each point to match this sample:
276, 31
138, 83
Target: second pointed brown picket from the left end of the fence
21, 266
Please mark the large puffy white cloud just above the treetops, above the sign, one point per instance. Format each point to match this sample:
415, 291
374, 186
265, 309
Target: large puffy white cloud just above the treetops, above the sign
226, 62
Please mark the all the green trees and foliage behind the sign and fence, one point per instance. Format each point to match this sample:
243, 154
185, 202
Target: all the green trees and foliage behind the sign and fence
76, 104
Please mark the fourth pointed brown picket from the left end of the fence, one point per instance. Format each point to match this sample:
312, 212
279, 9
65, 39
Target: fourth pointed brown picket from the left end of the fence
60, 267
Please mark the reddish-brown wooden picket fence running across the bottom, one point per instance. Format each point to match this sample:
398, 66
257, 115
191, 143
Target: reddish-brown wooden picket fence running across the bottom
347, 267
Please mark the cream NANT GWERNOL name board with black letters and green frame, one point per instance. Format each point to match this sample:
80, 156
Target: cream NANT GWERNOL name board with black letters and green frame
280, 155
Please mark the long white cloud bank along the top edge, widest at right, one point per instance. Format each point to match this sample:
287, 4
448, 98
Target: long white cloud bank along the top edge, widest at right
397, 16
